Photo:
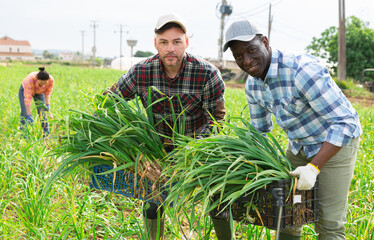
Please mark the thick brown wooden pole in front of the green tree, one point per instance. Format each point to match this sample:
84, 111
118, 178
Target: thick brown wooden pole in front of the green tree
342, 61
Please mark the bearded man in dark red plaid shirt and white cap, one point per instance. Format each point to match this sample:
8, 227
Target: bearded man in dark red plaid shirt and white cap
189, 81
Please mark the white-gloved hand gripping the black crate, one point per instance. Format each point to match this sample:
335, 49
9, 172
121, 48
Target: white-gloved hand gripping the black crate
308, 175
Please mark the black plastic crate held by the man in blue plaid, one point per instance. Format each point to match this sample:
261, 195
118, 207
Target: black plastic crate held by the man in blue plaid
297, 209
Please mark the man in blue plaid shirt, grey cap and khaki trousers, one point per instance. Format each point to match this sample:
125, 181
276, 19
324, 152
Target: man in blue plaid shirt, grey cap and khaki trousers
322, 126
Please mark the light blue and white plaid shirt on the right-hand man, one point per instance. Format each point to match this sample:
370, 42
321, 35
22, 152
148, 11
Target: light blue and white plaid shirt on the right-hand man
306, 102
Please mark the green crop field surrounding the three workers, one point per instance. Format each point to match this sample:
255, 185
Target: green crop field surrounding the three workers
72, 210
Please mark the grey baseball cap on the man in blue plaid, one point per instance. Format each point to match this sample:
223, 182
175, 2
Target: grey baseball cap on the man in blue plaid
240, 30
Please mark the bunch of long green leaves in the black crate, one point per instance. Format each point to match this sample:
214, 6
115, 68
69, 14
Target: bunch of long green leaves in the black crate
234, 163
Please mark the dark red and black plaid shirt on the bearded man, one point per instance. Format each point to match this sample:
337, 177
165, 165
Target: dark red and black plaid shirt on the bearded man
198, 84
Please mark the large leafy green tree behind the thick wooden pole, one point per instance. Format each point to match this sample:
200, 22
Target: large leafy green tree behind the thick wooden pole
359, 47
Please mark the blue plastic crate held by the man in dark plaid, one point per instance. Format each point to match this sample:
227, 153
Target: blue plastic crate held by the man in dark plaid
125, 184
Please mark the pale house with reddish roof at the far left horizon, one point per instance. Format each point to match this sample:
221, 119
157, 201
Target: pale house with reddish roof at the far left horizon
15, 49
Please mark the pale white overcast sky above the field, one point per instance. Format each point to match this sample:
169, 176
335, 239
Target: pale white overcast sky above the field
58, 24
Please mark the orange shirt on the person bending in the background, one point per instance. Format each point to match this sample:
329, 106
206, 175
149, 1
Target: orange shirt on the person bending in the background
31, 87
